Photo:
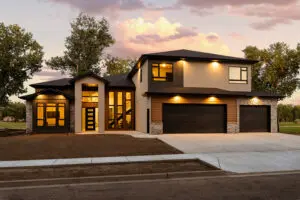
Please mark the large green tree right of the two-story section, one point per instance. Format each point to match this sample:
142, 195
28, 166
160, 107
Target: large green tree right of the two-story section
277, 69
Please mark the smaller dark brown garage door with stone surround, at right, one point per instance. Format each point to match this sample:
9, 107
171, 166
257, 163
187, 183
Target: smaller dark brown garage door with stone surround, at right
254, 118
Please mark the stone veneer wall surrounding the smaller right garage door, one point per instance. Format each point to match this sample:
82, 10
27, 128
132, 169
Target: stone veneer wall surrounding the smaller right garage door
260, 101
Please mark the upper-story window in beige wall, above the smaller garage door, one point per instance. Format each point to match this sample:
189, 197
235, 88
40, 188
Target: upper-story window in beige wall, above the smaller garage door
238, 75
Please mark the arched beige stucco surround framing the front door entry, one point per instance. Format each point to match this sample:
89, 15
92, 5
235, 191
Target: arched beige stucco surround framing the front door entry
78, 104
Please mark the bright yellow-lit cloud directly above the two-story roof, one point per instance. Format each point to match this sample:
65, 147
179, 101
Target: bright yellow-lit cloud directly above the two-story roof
138, 36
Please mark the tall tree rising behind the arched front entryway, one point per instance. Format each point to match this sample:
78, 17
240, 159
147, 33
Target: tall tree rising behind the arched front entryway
84, 47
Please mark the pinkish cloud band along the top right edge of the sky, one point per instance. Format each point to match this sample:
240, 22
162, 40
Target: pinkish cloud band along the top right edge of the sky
270, 12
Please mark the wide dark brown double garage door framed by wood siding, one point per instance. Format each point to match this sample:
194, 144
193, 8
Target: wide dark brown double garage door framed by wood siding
194, 118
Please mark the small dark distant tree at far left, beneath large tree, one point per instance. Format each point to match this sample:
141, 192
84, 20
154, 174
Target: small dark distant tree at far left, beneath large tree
16, 110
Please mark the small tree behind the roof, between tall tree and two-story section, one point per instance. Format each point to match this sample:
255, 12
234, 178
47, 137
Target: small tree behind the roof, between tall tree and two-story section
115, 65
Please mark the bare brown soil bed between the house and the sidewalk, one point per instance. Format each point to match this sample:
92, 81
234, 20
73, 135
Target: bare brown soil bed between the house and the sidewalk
52, 146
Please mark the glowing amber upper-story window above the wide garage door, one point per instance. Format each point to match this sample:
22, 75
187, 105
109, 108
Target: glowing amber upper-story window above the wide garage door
162, 72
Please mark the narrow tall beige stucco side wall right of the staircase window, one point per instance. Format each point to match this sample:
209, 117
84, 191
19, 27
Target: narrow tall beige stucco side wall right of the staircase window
141, 102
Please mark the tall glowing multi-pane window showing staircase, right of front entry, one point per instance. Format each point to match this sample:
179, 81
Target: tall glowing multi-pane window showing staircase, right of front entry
120, 110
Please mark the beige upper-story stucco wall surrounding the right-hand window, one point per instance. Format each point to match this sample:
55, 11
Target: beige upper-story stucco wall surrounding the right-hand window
200, 74
